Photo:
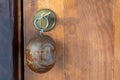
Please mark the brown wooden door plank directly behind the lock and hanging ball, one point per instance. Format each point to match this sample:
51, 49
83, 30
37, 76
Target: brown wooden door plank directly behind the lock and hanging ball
30, 8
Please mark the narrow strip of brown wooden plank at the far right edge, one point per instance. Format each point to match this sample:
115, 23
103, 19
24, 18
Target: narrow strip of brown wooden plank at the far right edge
117, 41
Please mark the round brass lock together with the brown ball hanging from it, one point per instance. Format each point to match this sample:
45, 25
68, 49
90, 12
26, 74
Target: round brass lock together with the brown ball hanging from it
41, 51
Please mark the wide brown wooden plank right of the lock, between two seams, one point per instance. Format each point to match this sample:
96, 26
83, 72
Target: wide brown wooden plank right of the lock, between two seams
88, 40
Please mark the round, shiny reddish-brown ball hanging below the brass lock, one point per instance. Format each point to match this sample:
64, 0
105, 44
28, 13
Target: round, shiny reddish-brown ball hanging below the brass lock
41, 54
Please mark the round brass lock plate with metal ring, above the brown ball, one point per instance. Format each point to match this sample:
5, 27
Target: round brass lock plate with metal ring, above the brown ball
45, 19
